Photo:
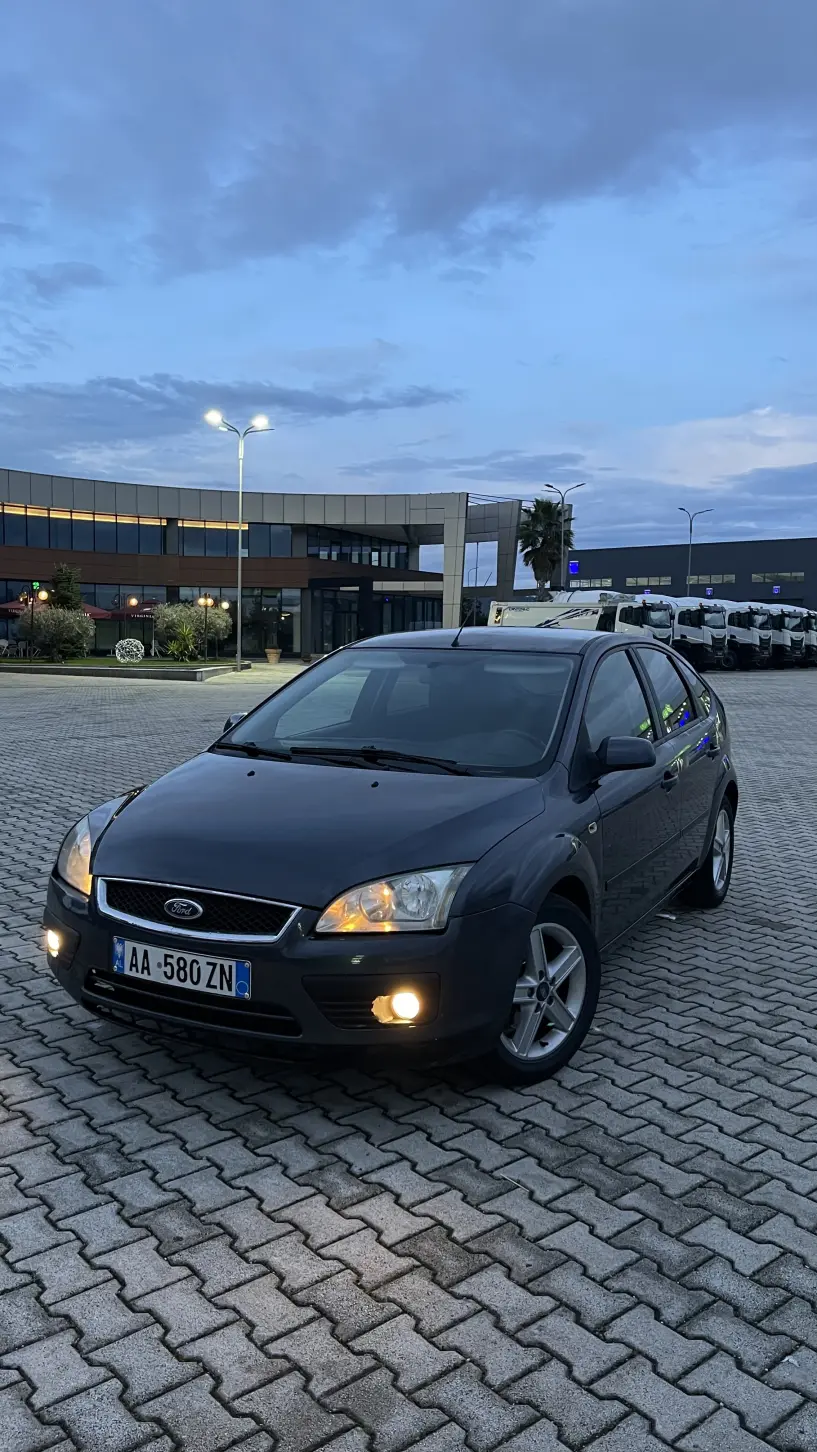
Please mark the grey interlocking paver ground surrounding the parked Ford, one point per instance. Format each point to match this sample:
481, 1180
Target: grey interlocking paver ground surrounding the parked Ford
205, 1255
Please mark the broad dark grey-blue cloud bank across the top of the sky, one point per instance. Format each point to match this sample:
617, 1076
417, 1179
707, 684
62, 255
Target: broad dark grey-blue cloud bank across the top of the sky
442, 124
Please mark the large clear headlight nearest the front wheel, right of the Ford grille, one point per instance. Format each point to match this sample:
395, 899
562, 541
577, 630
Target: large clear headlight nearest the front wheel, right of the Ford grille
416, 902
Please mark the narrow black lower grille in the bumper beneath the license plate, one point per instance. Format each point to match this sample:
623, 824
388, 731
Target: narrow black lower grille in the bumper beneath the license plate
195, 1008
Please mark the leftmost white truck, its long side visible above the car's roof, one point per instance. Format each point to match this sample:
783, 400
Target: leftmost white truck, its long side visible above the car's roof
588, 611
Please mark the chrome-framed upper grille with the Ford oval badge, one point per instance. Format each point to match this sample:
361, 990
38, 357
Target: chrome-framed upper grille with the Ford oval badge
223, 915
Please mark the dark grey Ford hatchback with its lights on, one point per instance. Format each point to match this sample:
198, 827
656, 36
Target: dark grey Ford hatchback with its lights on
422, 843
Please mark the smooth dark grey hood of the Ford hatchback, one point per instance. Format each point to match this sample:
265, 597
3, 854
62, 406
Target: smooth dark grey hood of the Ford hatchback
304, 833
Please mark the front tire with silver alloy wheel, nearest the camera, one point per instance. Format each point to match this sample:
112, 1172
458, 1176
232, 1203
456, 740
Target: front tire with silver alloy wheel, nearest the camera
555, 997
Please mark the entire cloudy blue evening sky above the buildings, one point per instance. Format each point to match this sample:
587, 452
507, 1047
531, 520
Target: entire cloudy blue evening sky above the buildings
445, 245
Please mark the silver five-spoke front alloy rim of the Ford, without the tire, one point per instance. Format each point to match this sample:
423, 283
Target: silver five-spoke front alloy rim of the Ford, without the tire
549, 994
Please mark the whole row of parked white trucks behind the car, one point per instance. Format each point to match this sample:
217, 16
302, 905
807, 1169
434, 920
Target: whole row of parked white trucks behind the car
712, 634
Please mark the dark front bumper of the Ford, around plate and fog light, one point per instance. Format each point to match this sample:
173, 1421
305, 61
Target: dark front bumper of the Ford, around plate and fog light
311, 994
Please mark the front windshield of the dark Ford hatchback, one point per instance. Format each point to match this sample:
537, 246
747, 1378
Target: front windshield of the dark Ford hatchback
485, 711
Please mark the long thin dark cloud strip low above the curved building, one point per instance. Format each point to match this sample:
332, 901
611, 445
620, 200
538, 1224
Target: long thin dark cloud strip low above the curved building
160, 407
